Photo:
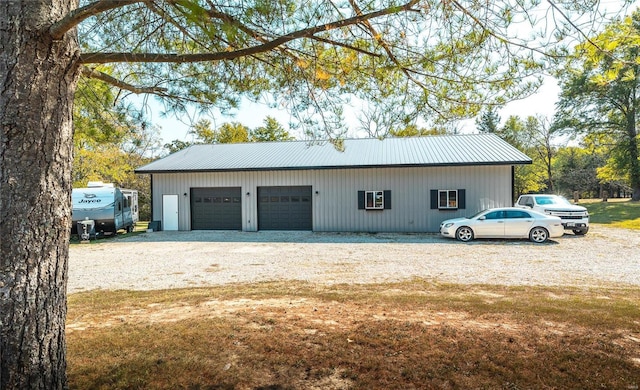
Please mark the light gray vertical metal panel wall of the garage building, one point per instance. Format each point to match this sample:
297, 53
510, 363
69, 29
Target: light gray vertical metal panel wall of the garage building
335, 194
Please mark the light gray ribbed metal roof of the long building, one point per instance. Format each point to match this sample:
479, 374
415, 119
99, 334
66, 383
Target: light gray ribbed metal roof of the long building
442, 150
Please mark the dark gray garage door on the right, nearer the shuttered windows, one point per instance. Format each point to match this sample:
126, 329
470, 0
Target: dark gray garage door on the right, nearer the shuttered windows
284, 208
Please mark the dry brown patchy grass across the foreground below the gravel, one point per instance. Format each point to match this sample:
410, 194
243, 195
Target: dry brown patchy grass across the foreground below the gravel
294, 335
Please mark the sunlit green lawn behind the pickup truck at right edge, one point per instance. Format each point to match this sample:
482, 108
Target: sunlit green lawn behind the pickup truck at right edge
616, 212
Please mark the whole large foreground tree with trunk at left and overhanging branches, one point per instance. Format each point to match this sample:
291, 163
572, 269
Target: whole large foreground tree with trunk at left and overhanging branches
439, 60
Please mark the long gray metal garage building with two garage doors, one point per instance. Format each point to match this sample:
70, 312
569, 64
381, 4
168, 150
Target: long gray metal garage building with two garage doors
391, 185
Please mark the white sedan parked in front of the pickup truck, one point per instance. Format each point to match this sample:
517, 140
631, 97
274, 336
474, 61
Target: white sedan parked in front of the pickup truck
507, 222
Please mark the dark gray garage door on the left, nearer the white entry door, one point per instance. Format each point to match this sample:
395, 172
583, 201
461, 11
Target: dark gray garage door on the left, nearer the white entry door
217, 208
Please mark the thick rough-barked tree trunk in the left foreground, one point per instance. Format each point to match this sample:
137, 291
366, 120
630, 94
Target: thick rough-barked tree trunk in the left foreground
38, 76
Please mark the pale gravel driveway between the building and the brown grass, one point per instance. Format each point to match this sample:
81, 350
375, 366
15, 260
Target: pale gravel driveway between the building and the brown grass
160, 260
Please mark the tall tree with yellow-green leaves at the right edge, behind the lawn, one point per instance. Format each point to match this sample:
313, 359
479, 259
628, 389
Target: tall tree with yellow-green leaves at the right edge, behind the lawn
600, 93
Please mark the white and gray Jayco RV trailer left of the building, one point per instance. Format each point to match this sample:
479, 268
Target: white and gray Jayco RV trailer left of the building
109, 207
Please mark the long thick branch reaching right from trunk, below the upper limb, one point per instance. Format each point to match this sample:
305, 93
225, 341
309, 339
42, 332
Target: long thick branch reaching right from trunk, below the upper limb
101, 58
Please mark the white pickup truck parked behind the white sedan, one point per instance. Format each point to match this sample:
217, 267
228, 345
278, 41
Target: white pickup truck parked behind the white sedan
574, 217
